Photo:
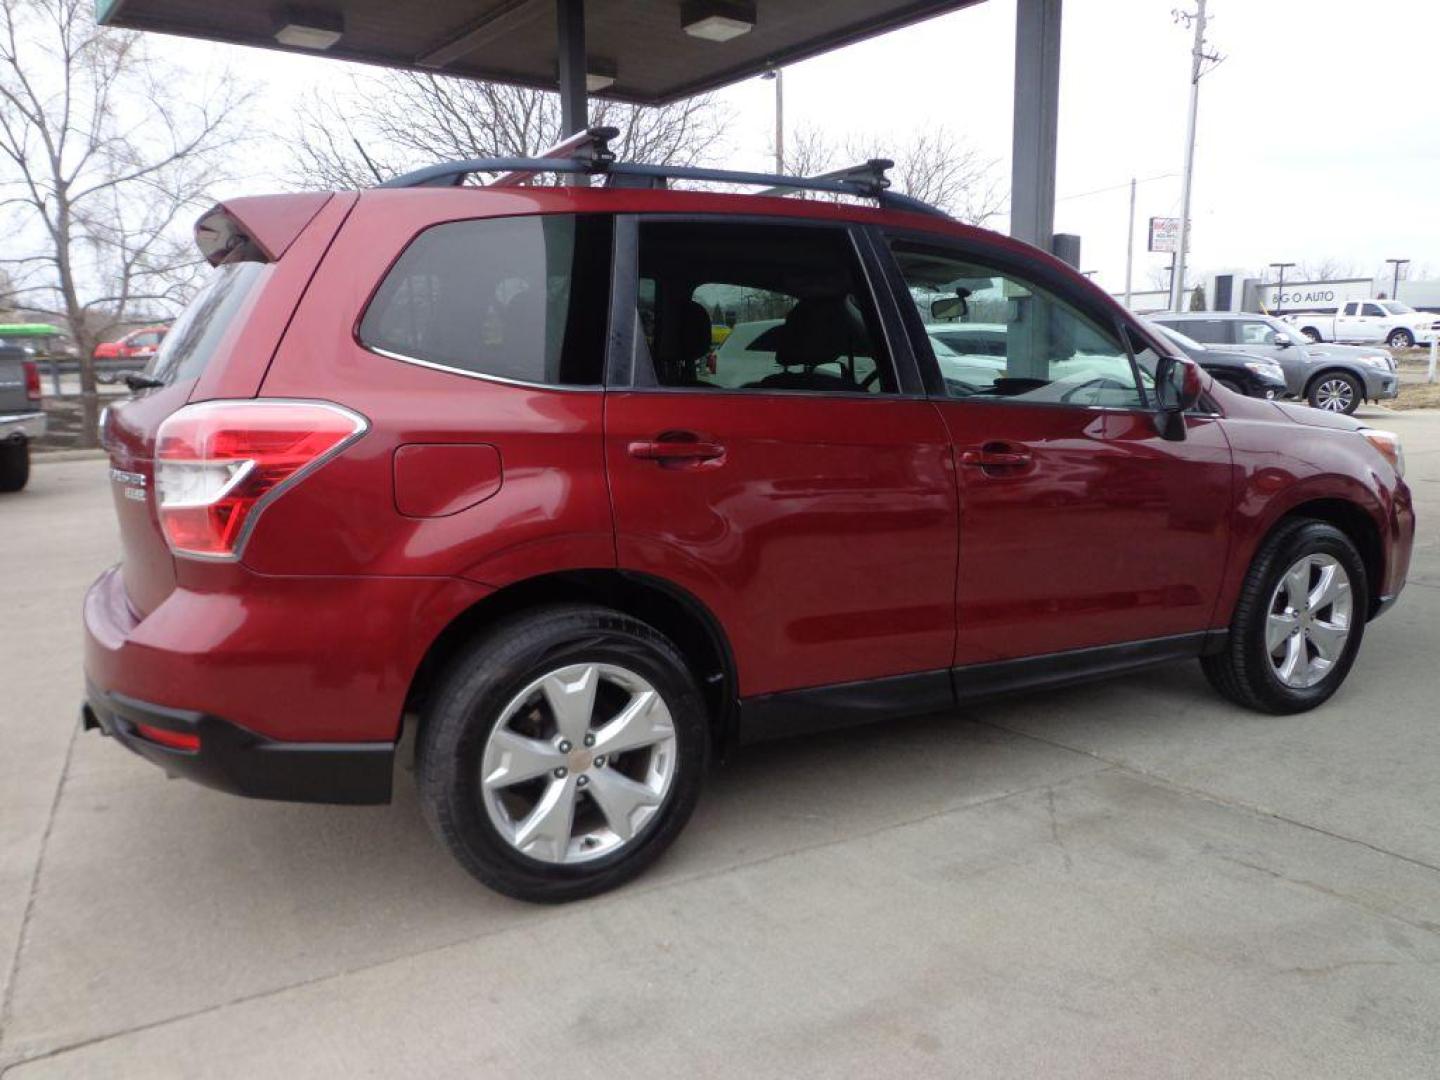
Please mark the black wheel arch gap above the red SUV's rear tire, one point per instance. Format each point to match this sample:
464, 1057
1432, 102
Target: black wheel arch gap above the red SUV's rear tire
666, 607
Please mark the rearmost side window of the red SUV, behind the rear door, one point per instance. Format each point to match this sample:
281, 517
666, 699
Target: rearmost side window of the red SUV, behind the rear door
521, 299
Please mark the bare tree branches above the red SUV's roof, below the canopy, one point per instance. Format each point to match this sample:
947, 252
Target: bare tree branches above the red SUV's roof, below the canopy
387, 125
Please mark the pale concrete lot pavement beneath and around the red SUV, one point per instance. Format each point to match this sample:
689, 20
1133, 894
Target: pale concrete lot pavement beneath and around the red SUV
1124, 879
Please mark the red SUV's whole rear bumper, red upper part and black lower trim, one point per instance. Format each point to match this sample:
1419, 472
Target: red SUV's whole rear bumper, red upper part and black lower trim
294, 686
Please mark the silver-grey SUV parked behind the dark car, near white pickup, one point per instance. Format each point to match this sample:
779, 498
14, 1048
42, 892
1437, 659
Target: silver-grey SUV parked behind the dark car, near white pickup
1334, 378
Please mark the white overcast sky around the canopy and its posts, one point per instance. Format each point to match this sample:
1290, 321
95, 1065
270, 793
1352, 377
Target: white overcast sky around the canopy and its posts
1320, 133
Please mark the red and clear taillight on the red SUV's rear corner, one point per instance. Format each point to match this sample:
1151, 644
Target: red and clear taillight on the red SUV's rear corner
220, 464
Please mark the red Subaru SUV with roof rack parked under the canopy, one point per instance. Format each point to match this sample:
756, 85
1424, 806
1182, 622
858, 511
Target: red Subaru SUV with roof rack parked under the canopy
459, 463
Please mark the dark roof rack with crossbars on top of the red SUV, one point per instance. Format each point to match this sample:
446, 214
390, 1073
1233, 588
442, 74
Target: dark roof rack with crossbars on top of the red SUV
588, 153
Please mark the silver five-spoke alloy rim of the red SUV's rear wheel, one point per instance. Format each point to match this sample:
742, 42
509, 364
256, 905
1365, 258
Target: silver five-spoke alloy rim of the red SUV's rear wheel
580, 764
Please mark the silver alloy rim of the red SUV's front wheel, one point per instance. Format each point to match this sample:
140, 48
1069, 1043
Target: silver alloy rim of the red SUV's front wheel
1310, 620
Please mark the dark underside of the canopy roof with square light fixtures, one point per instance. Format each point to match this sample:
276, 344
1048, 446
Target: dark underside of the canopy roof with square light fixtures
640, 44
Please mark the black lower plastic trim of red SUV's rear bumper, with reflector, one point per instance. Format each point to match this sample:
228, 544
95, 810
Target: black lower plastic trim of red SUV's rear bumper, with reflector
233, 760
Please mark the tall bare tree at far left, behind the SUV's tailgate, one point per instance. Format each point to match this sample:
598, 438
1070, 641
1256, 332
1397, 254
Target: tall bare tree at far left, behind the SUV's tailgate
100, 161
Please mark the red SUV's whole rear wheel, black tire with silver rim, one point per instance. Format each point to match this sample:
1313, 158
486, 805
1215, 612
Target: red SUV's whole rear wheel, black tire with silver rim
562, 752
